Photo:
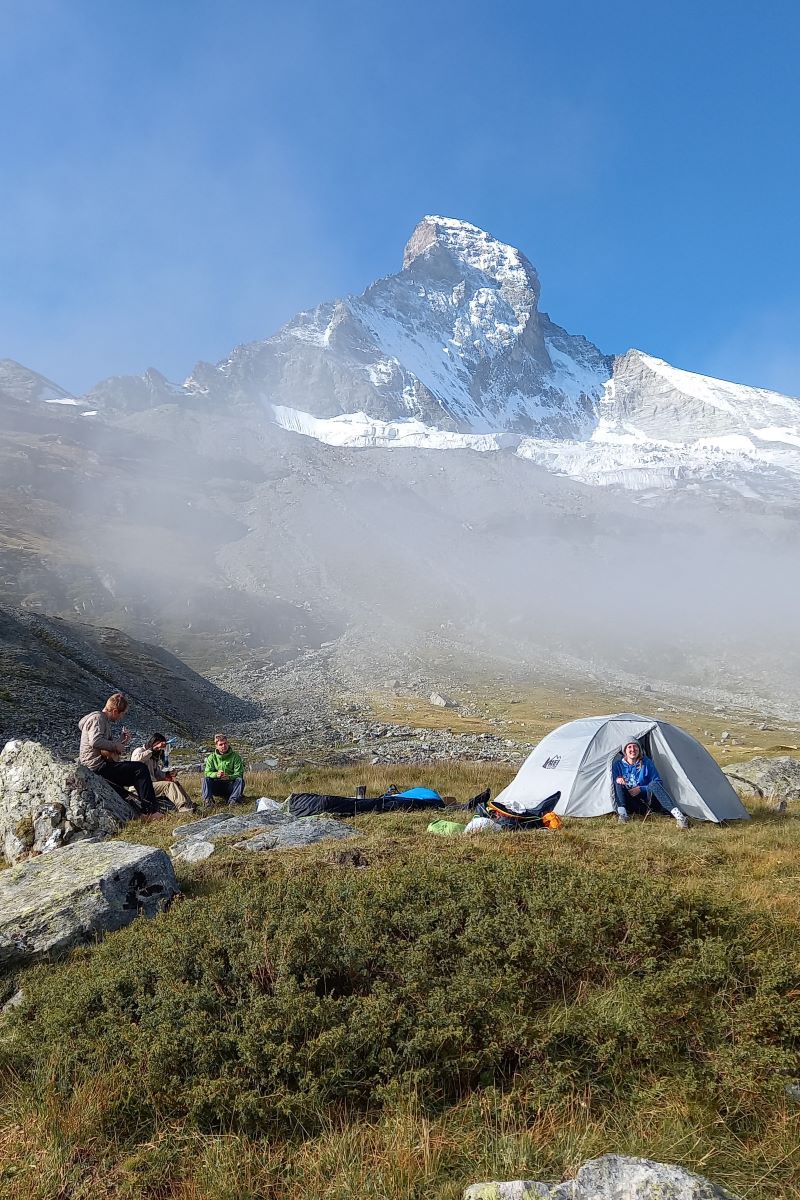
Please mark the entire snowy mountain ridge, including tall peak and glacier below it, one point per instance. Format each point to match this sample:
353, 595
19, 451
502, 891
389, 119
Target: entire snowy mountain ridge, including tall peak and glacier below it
453, 352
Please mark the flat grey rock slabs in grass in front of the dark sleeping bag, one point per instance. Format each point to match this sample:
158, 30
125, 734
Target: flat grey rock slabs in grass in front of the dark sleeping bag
270, 830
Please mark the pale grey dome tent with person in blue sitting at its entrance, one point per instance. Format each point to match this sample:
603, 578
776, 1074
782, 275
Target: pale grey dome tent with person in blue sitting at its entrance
576, 760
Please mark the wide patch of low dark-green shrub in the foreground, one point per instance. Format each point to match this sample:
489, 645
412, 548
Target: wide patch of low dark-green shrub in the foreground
275, 1004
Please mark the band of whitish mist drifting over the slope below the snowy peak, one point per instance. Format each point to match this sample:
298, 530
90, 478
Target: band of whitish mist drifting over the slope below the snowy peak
220, 536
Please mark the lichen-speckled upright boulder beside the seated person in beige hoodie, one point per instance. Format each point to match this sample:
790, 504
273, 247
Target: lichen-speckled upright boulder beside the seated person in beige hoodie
47, 802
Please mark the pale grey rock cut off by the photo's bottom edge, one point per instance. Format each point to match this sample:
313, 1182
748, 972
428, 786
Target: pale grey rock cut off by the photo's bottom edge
611, 1178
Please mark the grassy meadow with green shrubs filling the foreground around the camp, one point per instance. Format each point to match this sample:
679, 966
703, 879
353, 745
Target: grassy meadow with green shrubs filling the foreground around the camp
429, 1013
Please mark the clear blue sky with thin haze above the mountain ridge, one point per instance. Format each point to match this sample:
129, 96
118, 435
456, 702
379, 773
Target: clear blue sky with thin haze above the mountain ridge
178, 178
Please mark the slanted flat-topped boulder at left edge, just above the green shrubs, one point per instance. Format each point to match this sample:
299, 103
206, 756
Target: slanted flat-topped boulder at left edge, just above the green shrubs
52, 903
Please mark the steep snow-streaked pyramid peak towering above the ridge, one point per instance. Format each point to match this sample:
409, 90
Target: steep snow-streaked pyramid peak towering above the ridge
455, 341
